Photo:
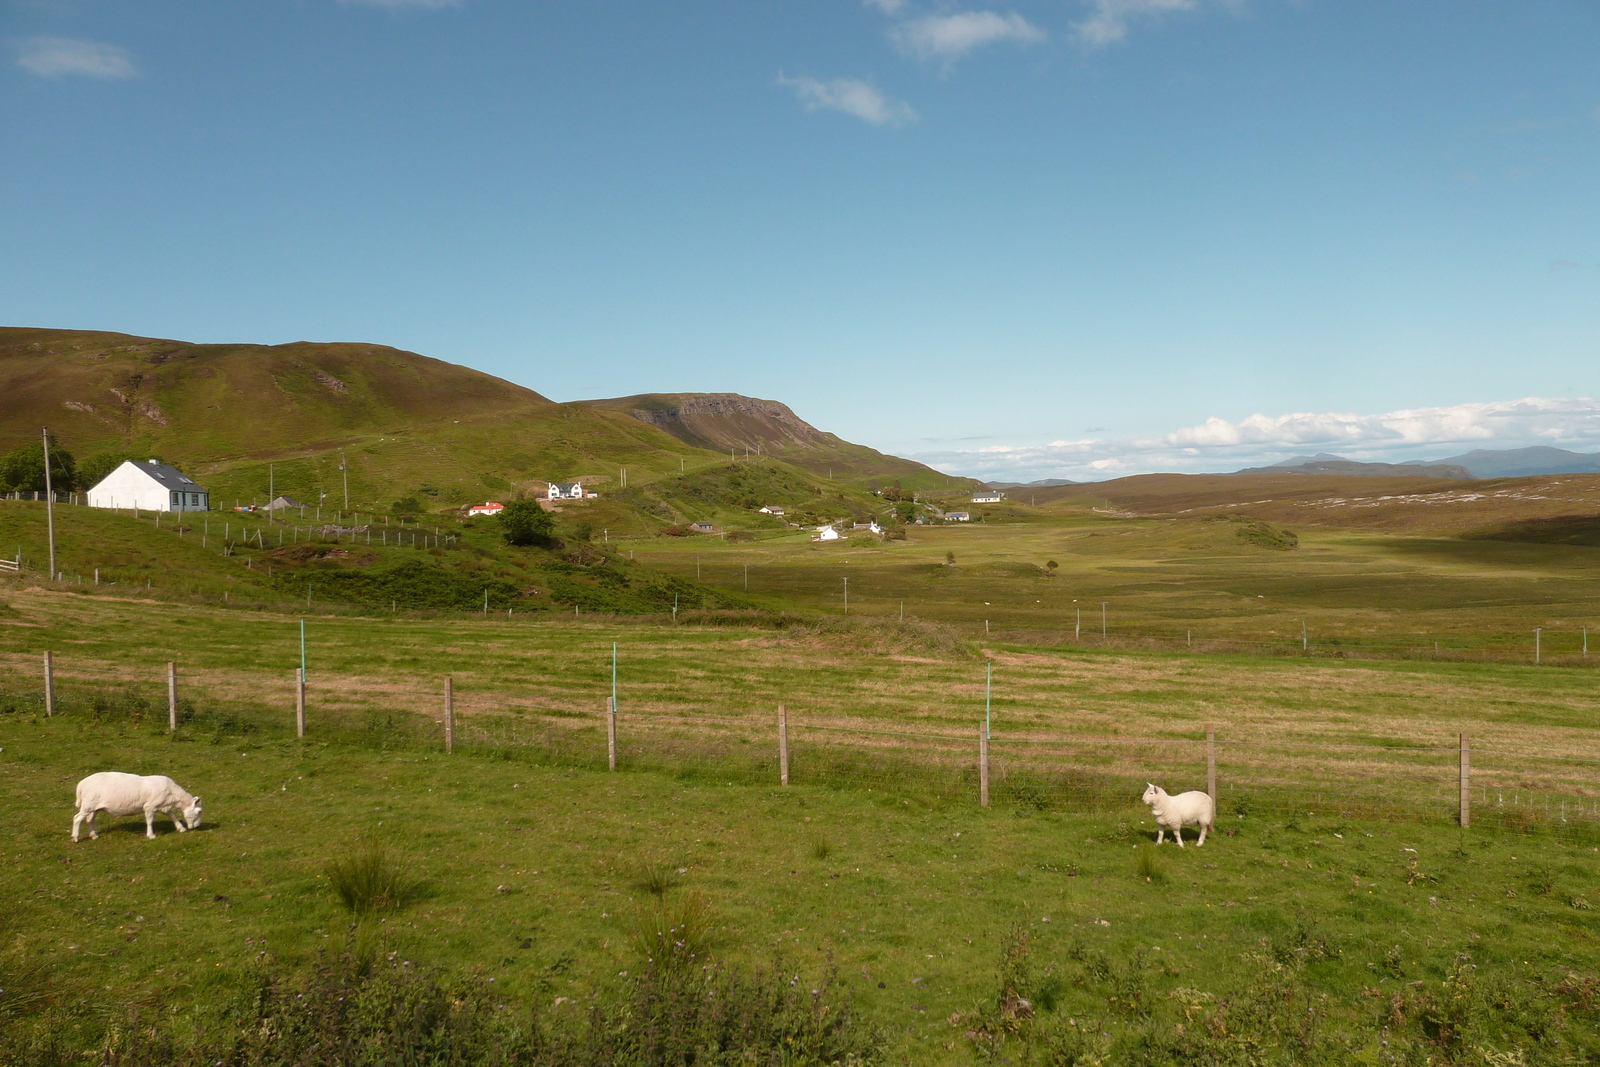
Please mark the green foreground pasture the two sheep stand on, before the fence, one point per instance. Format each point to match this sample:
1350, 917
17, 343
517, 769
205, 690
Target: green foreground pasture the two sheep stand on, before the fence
534, 876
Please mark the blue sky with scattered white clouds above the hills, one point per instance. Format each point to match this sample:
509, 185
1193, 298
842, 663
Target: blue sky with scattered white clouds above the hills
1057, 239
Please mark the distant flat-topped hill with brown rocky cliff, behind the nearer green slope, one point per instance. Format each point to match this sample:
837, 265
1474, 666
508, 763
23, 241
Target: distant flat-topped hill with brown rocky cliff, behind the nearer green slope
737, 425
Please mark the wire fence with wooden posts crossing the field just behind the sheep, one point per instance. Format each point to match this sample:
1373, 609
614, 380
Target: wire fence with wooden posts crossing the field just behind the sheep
1455, 781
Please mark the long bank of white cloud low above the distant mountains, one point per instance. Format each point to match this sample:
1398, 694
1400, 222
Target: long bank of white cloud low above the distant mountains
1223, 446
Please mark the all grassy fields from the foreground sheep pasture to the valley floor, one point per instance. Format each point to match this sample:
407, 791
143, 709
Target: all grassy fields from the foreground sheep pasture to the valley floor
1306, 930
